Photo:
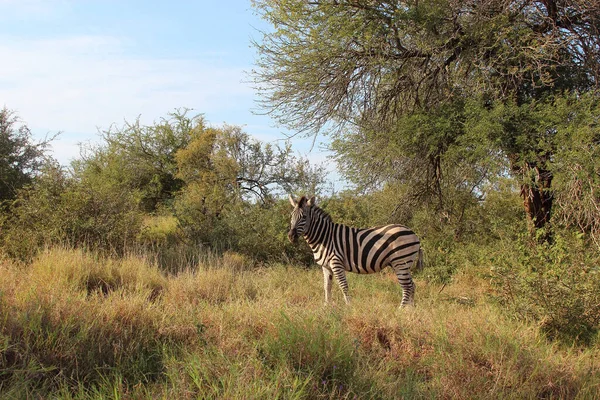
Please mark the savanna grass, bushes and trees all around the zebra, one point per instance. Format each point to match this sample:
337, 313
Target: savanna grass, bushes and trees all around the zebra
157, 265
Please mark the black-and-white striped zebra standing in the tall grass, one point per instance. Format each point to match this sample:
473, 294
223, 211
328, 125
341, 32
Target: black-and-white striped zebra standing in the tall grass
338, 248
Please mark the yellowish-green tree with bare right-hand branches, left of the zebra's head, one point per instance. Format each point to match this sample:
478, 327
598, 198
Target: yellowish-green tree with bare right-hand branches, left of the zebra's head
225, 171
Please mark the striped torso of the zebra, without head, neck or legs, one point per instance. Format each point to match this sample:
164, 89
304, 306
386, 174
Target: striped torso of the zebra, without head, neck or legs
372, 249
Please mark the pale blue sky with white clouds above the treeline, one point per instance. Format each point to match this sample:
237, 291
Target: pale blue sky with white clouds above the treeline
78, 66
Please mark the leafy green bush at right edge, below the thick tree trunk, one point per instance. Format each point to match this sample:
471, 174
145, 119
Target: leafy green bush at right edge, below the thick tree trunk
553, 284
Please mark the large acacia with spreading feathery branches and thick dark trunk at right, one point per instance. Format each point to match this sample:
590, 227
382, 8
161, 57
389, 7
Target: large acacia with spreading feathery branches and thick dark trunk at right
368, 65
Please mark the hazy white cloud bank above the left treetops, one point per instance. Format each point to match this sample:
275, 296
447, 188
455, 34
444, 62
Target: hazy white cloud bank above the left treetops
80, 83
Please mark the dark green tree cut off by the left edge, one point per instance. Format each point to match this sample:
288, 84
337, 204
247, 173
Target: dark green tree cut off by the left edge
20, 157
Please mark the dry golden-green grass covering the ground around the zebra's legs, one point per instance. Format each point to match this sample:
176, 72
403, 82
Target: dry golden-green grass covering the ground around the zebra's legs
73, 325
